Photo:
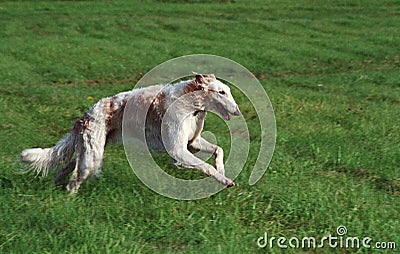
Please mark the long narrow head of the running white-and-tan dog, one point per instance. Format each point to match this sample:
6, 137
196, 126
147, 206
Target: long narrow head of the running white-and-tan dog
217, 95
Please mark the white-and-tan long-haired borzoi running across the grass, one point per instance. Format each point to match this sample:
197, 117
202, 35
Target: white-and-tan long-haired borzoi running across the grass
103, 123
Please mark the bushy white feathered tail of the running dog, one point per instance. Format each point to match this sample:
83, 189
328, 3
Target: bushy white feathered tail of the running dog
41, 160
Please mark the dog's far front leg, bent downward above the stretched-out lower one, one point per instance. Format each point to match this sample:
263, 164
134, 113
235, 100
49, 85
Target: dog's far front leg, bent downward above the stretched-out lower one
207, 147
